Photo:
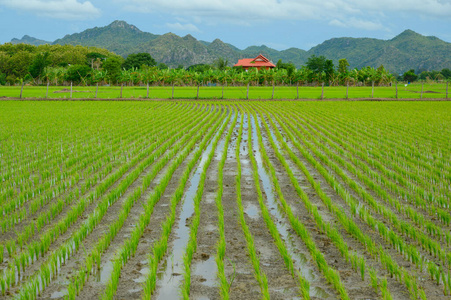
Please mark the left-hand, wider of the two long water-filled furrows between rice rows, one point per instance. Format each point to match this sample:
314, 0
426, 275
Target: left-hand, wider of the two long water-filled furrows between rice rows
172, 275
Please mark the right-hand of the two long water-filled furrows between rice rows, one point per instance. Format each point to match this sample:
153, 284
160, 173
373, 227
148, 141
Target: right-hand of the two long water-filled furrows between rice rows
299, 259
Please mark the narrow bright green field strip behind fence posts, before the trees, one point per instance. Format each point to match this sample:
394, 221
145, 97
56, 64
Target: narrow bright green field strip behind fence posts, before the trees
412, 91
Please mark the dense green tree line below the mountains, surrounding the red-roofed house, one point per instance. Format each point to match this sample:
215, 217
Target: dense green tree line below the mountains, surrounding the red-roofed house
67, 64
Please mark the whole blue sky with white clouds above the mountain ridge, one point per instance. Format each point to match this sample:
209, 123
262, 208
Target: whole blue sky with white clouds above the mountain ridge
280, 24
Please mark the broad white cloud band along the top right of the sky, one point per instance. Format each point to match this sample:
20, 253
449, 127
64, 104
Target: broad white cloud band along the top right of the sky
327, 10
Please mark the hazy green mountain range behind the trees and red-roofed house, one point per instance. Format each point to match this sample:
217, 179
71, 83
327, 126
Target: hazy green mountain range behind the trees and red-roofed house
408, 50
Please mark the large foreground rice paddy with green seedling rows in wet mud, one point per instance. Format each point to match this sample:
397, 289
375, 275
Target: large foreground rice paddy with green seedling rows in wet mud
225, 200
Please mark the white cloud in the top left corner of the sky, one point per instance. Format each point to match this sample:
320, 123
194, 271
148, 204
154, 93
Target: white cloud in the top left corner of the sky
58, 9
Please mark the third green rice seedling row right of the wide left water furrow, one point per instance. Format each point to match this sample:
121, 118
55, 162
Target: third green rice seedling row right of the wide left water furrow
259, 274
